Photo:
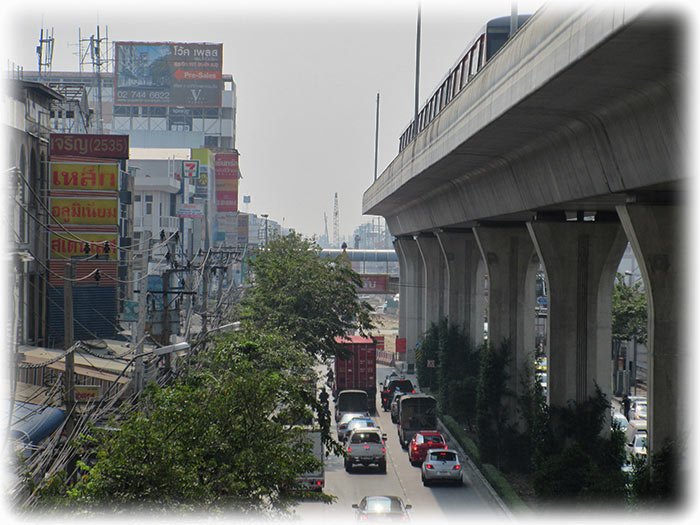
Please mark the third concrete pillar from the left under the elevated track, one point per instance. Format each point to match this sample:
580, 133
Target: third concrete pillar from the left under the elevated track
464, 275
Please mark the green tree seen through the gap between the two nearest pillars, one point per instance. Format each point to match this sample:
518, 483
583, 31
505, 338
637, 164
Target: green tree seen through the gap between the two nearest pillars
629, 311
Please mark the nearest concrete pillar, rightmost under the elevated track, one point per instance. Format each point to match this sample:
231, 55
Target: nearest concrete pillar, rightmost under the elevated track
655, 233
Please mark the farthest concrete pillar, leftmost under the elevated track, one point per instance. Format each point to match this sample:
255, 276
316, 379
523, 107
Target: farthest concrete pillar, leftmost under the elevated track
413, 302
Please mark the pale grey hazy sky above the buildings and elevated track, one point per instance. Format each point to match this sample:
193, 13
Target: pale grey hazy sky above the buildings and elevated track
307, 76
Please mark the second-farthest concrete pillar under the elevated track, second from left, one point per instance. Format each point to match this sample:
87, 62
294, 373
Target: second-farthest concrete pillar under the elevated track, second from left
434, 279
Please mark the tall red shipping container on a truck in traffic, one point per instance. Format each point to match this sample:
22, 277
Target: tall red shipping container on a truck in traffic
359, 372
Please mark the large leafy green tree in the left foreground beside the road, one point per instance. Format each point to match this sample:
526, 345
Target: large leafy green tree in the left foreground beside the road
224, 435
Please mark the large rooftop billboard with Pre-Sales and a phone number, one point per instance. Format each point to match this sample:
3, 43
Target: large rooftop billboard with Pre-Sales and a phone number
167, 74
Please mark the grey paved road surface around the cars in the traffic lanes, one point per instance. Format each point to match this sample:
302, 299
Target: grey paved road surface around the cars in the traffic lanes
436, 504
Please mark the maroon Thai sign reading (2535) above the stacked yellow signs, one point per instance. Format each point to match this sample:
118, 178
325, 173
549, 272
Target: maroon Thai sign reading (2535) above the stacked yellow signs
76, 145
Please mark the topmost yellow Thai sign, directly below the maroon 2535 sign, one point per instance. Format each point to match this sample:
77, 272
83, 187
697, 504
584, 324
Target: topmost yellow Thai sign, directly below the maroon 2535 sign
84, 176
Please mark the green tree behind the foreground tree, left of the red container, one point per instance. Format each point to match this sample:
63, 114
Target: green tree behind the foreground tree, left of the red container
310, 299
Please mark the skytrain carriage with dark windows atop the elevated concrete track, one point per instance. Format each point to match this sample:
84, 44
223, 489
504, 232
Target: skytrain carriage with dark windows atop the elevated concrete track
488, 41
